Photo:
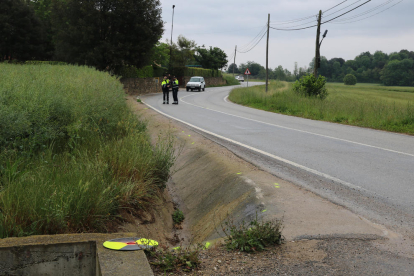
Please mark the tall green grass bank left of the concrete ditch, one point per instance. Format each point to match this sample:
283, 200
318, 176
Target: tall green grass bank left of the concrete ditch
73, 156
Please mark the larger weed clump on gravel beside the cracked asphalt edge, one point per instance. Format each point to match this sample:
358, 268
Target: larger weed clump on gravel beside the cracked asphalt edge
253, 236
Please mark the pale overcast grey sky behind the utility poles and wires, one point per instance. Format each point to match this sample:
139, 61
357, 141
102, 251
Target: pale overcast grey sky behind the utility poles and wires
226, 23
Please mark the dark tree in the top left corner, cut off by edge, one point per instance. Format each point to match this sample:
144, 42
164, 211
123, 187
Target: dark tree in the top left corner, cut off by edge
21, 32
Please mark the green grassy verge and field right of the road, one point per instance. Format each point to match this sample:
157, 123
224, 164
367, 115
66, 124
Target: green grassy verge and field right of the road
365, 105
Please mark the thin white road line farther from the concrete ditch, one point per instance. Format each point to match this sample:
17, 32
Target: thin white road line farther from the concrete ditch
298, 130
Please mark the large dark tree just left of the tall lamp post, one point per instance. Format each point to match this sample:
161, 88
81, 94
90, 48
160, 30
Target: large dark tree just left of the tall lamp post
106, 34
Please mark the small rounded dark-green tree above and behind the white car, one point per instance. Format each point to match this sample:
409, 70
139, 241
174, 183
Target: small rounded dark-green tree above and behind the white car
214, 58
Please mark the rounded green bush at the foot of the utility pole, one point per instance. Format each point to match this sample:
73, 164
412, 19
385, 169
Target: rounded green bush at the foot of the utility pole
309, 86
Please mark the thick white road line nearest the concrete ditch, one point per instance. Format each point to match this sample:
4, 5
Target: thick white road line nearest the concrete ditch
318, 173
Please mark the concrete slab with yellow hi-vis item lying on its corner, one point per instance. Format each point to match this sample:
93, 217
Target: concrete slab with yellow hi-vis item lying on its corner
41, 255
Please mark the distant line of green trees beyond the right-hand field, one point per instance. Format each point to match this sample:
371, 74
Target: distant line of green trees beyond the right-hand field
395, 69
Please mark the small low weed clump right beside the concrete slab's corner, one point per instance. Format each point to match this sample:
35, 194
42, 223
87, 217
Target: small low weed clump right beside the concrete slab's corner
179, 259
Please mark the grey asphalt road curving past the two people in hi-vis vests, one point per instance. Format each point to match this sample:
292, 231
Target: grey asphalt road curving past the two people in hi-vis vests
368, 171
